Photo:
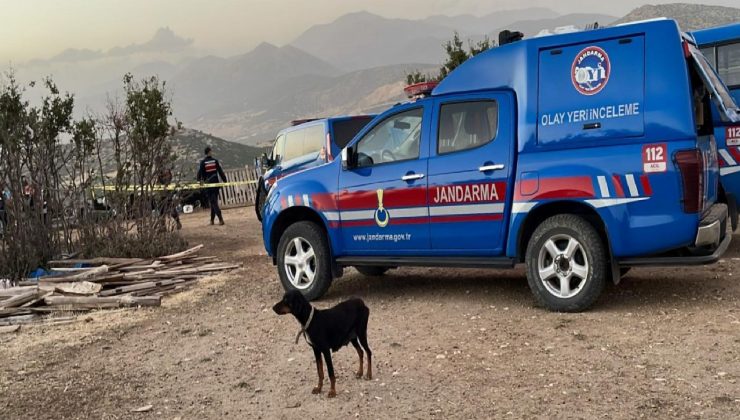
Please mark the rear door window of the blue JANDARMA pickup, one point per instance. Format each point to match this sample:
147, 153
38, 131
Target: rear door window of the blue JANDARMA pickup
466, 125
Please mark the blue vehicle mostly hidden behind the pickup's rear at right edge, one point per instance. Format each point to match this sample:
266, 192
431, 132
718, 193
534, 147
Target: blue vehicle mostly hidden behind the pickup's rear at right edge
721, 47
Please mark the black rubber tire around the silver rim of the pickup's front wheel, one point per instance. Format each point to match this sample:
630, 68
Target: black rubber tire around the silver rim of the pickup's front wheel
315, 236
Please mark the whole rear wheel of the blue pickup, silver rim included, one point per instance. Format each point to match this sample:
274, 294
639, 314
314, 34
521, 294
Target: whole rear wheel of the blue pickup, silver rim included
566, 264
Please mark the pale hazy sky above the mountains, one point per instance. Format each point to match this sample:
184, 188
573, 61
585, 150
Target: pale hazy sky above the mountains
42, 28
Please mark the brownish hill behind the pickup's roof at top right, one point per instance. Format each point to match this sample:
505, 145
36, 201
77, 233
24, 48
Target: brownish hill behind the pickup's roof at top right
688, 16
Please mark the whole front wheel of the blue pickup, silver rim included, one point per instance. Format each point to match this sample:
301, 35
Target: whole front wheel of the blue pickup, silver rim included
304, 260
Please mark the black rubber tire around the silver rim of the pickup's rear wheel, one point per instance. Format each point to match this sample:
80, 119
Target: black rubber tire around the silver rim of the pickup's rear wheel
592, 251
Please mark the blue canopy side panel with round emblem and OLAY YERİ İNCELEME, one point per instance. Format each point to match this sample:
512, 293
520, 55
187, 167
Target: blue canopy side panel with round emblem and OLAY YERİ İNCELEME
591, 91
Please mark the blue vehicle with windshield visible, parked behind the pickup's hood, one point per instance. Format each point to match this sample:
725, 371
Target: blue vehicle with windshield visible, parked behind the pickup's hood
305, 144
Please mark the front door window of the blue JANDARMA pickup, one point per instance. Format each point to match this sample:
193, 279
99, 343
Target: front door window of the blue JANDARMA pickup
395, 139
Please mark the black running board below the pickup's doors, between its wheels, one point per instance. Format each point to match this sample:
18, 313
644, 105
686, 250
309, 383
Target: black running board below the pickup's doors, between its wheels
459, 262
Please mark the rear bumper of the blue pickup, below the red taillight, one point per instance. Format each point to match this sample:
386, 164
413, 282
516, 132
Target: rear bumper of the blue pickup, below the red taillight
713, 237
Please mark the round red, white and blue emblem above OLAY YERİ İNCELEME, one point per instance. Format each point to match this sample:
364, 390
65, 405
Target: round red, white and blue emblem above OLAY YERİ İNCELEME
591, 70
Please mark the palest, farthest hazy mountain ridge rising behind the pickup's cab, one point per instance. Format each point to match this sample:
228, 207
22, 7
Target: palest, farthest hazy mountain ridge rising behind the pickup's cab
364, 40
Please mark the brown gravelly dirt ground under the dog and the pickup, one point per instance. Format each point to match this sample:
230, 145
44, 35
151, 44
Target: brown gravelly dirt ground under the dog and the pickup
447, 344
